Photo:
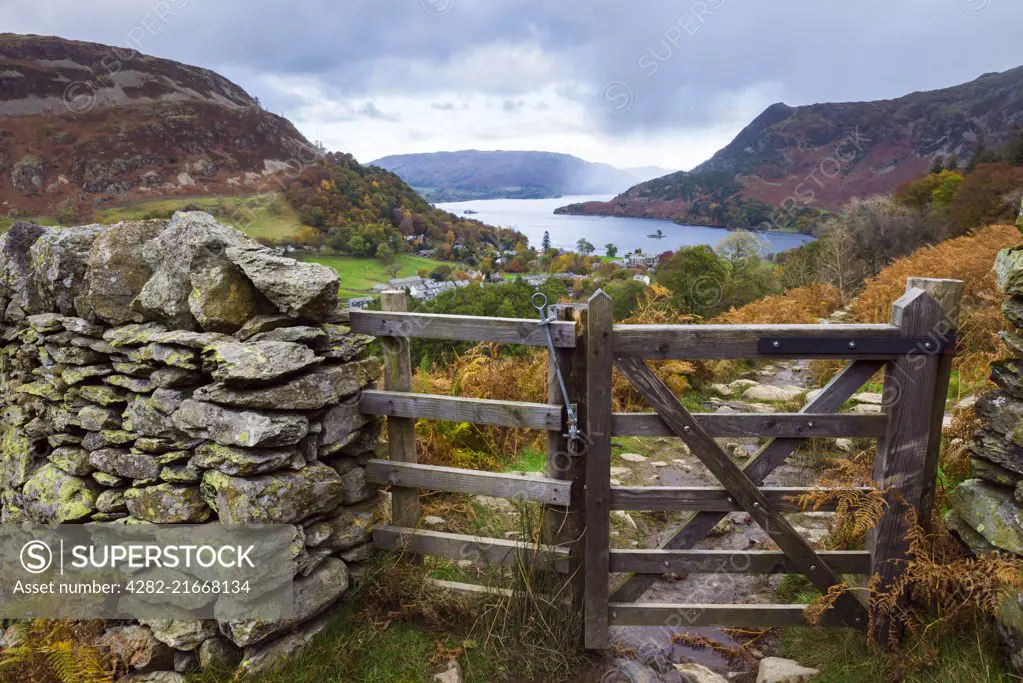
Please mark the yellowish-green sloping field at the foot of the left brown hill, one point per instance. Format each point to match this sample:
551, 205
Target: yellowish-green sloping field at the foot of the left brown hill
268, 215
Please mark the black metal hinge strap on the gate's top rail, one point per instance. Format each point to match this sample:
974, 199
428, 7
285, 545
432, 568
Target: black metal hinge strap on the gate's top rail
861, 346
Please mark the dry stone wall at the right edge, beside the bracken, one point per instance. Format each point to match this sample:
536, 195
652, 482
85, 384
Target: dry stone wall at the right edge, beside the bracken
987, 512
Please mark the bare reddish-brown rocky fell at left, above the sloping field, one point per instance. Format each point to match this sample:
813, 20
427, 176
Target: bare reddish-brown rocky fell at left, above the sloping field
83, 124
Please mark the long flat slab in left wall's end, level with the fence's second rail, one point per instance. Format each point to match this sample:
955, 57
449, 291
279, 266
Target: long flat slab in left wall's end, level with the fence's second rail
313, 391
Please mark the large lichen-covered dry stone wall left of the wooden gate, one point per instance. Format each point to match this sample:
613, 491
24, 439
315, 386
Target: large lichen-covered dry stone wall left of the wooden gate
179, 373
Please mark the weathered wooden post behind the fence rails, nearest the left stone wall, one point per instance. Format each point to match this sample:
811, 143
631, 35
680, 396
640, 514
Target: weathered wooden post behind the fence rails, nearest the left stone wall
401, 431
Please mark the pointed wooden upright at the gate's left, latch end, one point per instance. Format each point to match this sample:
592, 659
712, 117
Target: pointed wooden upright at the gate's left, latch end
598, 492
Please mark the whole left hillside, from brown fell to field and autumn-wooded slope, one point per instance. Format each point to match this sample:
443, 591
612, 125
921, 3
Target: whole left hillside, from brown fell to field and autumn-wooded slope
84, 136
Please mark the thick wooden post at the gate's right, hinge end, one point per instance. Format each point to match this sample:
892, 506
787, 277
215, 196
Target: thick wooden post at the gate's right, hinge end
904, 459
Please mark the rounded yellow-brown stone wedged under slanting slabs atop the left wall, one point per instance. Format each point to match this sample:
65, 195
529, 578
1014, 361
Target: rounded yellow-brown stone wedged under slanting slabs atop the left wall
223, 299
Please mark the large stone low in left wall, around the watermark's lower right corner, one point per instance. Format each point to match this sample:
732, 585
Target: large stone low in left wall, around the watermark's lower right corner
314, 595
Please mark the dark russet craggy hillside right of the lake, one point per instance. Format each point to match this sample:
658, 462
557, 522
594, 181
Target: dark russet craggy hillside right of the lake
820, 157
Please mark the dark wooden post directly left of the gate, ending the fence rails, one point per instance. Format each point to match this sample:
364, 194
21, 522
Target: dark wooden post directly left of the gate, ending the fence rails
563, 527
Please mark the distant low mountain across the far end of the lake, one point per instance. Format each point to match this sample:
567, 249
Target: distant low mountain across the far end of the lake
456, 176
